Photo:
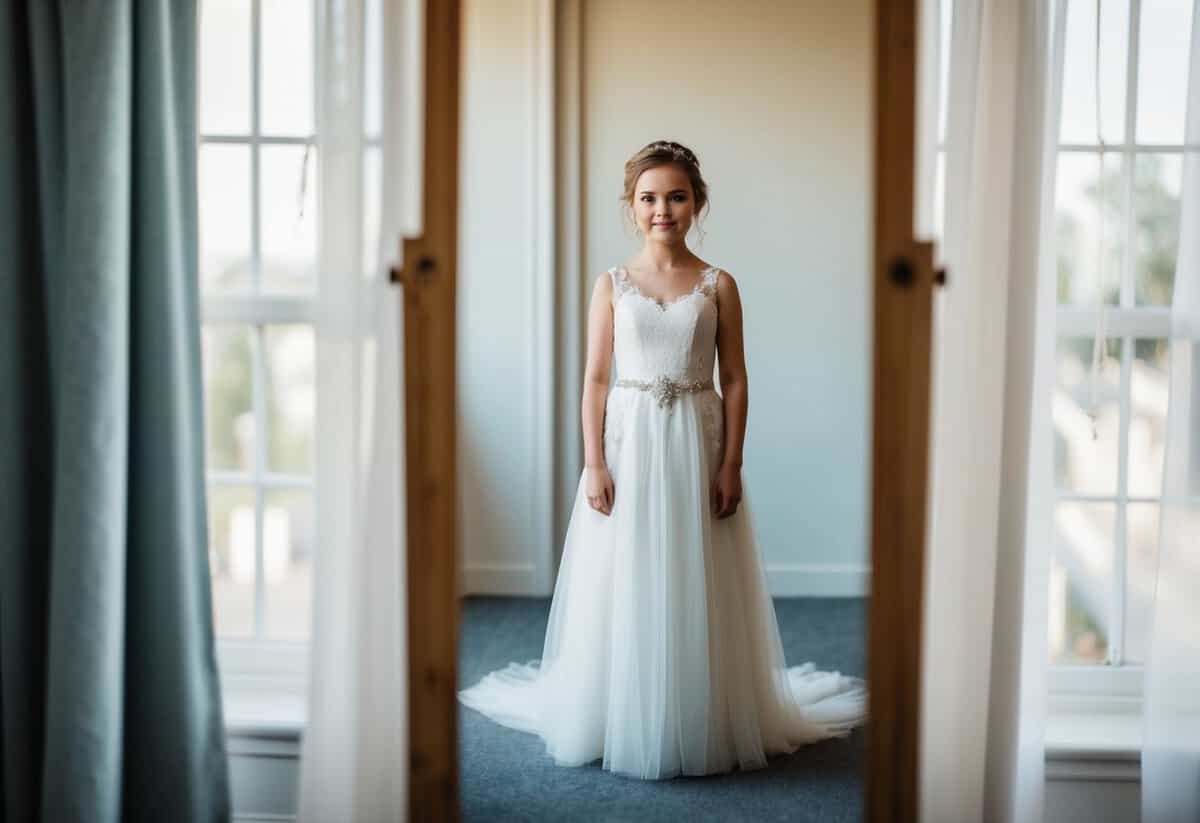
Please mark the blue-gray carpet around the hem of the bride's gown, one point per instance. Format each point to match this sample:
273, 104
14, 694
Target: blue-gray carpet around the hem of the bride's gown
507, 776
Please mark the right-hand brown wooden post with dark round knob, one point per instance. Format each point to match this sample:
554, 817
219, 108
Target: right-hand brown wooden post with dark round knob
902, 409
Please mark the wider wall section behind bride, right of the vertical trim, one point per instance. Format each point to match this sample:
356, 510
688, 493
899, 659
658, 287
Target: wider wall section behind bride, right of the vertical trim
775, 99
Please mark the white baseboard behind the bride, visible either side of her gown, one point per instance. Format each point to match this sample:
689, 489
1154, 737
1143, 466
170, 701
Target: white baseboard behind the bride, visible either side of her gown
784, 580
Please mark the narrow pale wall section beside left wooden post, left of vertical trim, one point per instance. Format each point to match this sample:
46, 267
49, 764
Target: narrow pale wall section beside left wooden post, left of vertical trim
497, 379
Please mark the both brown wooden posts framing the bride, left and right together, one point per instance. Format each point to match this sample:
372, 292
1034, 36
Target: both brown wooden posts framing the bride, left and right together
903, 293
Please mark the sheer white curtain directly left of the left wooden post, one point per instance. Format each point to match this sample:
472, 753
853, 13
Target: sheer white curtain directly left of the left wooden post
355, 759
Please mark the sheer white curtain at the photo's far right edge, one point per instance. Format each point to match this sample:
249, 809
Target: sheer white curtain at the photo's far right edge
1171, 761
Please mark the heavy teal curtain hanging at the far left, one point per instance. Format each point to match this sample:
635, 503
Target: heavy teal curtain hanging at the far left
110, 704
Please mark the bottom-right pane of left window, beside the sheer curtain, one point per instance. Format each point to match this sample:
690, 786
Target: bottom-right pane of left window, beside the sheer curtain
287, 562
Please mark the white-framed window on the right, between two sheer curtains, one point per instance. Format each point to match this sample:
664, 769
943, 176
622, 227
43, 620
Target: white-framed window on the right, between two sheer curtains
1117, 215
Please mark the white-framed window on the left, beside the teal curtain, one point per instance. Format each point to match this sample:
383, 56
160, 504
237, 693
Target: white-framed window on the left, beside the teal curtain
259, 261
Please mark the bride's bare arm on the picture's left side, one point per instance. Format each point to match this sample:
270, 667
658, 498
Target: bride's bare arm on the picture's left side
596, 394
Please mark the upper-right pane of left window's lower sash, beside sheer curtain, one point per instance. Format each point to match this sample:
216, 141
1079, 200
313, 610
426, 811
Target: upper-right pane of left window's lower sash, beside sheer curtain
291, 398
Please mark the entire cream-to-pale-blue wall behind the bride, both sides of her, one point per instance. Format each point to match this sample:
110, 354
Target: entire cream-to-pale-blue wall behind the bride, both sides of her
775, 98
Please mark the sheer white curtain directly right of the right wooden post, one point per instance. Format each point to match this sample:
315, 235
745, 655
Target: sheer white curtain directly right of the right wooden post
983, 689
